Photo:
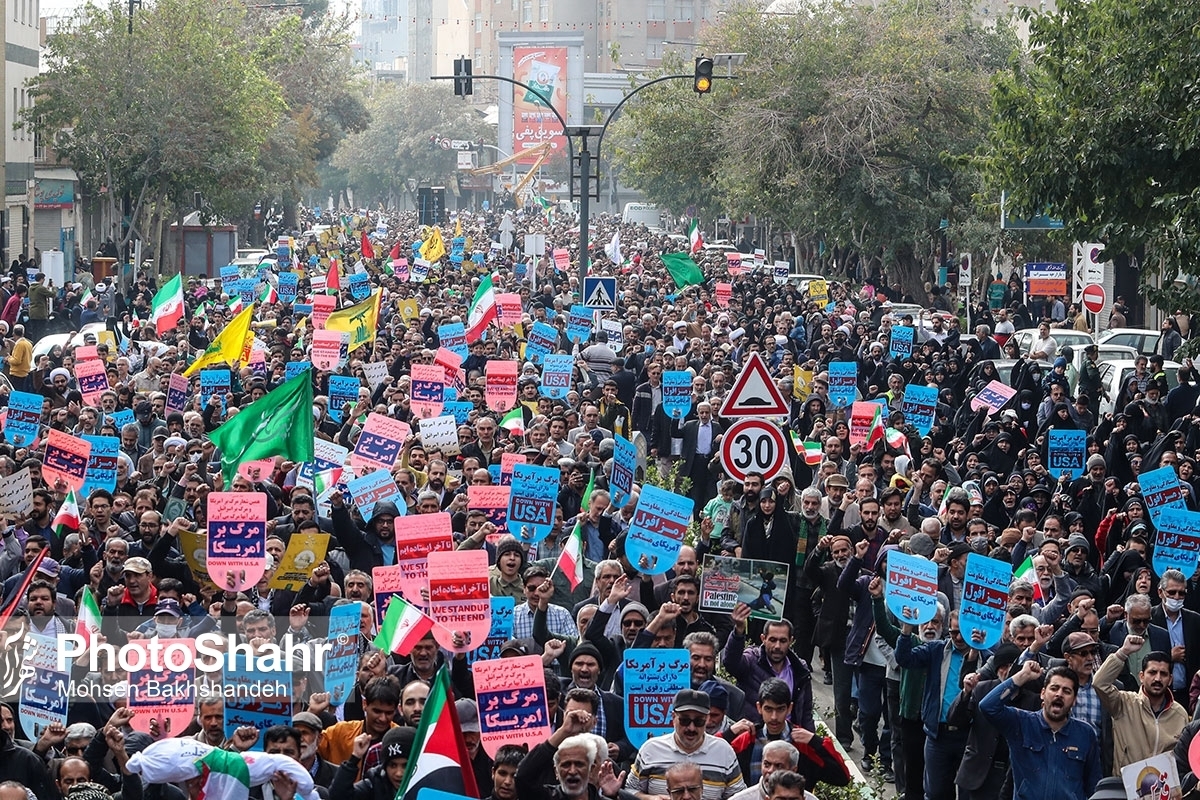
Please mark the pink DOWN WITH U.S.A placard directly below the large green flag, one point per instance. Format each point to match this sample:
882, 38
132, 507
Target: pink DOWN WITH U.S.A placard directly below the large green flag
237, 552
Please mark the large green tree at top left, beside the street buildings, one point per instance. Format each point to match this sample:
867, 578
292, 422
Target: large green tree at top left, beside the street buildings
154, 116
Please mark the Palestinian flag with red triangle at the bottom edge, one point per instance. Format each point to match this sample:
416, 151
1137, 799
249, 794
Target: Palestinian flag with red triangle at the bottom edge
440, 754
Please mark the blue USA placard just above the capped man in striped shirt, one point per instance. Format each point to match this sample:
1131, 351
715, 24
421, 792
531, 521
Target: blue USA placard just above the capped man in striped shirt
651, 678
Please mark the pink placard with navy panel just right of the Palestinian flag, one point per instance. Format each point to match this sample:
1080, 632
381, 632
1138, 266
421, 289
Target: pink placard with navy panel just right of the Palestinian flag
512, 696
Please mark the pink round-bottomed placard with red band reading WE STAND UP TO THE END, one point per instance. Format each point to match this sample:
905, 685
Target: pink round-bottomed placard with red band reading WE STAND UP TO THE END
460, 600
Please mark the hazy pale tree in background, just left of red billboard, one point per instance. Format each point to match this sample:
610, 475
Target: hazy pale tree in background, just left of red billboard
398, 145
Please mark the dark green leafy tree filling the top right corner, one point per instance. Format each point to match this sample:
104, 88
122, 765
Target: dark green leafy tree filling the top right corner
1101, 125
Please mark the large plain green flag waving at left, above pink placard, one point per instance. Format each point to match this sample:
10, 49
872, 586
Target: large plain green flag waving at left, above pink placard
277, 425
